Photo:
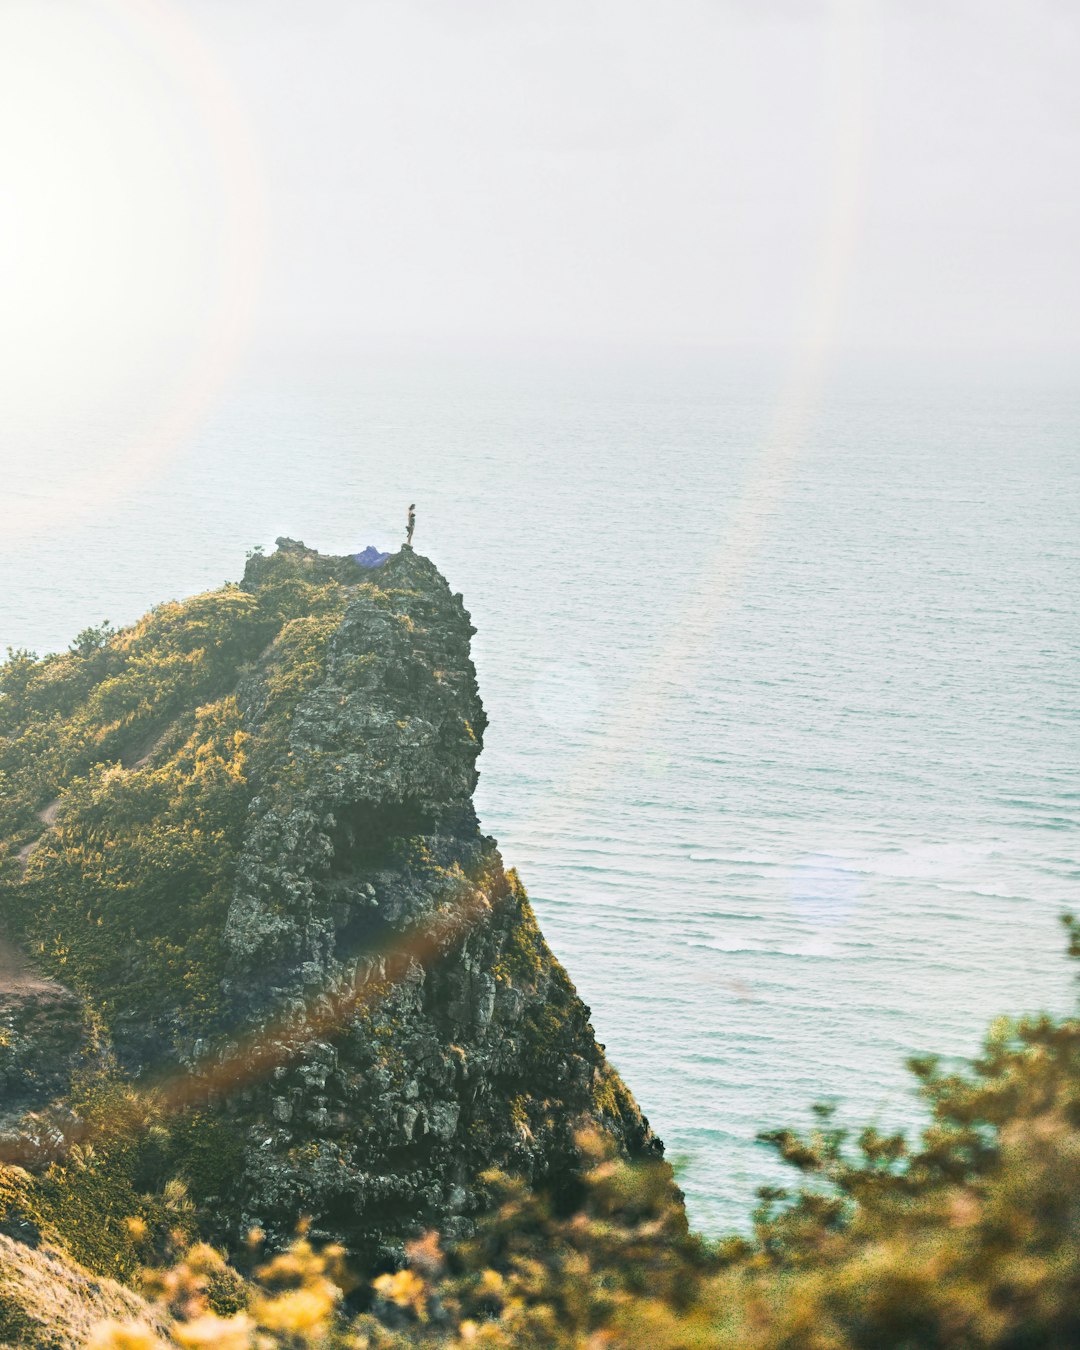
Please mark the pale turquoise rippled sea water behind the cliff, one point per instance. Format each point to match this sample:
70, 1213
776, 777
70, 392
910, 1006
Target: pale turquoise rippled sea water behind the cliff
784, 736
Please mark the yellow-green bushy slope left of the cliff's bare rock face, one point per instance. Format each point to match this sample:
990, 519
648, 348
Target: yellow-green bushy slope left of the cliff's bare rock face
128, 778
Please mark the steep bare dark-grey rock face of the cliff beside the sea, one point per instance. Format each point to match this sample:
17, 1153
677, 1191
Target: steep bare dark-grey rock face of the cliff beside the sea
371, 908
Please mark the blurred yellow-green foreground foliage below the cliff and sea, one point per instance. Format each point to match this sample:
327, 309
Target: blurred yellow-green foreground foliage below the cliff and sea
969, 1237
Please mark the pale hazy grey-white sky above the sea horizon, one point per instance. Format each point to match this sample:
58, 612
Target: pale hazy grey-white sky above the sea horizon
188, 180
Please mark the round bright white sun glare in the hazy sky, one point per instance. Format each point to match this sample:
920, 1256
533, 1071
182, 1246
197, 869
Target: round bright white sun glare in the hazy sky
125, 295
